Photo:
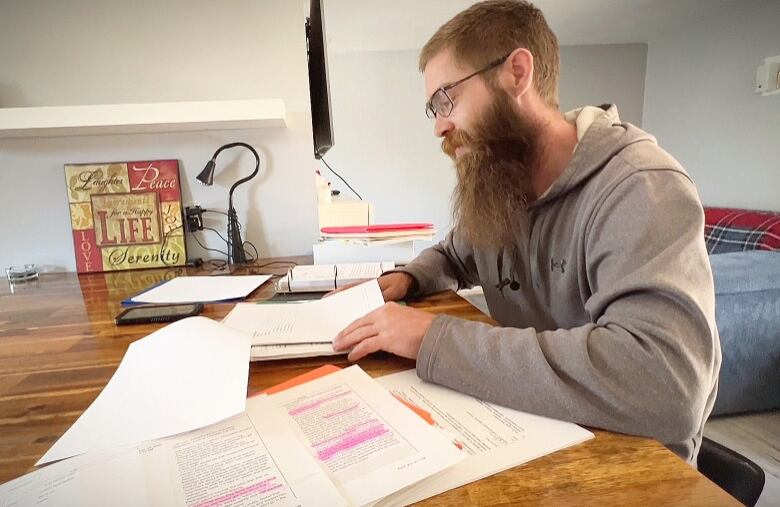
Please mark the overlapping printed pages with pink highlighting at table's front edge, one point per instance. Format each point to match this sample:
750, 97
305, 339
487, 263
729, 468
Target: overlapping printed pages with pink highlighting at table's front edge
336, 440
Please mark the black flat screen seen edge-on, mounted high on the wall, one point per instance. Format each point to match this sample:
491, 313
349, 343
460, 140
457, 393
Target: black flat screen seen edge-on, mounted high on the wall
321, 123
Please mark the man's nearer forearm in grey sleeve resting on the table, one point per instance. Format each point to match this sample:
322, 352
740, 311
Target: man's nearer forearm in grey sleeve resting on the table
636, 379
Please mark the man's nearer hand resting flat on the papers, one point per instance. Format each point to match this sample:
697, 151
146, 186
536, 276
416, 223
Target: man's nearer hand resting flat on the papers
393, 328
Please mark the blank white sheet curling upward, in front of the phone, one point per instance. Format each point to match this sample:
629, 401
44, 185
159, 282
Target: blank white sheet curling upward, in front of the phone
187, 375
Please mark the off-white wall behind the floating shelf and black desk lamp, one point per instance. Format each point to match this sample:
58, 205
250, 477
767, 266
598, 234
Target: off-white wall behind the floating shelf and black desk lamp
112, 51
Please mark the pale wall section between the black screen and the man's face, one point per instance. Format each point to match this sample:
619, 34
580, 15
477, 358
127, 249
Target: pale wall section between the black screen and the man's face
384, 143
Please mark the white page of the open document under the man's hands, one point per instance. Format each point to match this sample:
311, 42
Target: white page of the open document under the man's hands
310, 322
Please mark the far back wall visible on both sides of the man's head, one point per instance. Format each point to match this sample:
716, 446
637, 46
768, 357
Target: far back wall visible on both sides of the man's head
384, 143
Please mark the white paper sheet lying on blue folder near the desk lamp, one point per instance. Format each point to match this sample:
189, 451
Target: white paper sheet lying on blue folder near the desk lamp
202, 289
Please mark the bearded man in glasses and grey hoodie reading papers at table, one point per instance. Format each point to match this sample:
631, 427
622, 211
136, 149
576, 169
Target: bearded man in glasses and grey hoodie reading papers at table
585, 236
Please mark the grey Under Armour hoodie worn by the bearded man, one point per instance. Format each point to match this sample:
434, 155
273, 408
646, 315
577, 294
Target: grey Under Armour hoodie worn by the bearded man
605, 301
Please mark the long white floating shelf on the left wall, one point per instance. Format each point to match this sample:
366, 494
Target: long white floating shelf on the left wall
141, 118
